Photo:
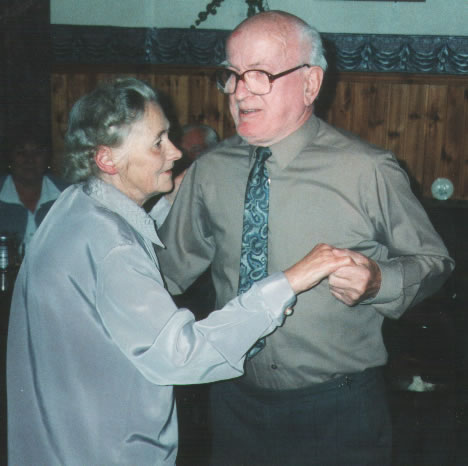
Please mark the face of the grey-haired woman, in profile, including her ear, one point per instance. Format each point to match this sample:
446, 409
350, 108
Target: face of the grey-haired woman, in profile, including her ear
145, 159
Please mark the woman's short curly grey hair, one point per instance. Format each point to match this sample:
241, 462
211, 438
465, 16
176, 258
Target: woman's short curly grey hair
102, 118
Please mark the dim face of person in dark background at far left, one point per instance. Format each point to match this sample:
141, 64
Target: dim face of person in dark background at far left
28, 163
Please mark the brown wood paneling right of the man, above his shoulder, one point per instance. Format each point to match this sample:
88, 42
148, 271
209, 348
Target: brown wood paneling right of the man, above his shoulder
422, 119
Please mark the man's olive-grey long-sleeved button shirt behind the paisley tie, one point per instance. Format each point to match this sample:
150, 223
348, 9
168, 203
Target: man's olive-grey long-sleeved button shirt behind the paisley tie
326, 186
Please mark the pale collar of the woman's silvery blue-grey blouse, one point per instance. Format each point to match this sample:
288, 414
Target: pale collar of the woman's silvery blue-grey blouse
117, 202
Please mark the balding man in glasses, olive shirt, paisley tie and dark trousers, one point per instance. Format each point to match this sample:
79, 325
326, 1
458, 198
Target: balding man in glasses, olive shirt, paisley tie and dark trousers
313, 391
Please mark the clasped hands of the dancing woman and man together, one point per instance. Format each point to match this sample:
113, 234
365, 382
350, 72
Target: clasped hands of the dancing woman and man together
352, 277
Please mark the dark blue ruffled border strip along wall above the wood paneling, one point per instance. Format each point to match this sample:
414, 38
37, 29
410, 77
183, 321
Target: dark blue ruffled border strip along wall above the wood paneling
345, 52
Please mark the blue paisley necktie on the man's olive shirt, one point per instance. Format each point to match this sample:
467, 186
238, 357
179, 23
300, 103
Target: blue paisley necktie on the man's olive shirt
254, 250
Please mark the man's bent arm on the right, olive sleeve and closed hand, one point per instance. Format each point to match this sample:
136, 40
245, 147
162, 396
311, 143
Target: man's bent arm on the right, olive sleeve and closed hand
418, 262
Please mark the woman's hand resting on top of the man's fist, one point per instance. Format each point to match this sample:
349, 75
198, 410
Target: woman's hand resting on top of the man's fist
317, 265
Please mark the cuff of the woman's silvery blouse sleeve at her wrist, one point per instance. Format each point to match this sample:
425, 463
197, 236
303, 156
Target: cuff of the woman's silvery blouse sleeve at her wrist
275, 290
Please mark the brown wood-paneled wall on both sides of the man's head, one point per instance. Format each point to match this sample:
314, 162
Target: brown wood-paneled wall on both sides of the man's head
423, 119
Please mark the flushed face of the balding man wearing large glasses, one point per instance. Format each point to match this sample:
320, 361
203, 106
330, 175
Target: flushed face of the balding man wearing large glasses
266, 119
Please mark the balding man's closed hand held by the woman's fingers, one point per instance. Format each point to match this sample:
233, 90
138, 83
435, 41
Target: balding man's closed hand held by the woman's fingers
356, 282
